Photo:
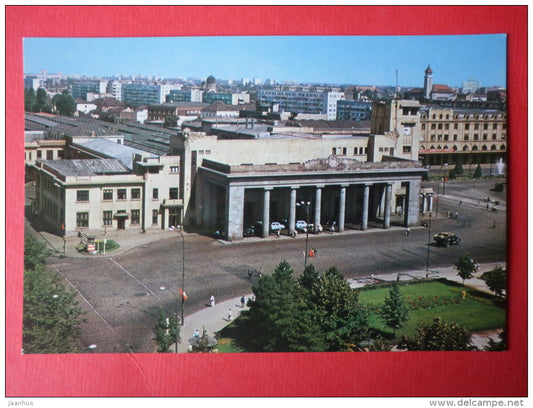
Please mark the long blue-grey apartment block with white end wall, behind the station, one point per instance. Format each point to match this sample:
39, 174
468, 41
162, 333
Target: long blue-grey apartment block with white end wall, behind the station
302, 101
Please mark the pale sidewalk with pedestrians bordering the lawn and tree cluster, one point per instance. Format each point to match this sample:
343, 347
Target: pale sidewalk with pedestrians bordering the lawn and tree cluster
213, 319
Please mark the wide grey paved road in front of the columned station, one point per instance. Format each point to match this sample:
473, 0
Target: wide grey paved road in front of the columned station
122, 294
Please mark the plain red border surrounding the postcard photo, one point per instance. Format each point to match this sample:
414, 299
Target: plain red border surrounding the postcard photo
323, 374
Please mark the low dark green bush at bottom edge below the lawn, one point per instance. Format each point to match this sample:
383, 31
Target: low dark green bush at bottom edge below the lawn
439, 336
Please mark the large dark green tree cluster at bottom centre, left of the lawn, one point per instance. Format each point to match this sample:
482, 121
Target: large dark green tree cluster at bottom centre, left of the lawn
316, 312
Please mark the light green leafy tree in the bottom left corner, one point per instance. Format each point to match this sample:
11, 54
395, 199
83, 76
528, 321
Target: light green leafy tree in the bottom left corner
51, 315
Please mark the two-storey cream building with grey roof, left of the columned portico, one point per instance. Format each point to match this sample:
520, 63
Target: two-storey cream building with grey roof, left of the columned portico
85, 195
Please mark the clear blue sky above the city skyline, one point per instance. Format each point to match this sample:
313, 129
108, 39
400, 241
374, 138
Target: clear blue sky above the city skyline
361, 60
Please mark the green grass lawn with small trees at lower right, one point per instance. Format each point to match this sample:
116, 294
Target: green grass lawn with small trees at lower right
428, 300
